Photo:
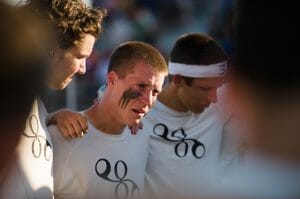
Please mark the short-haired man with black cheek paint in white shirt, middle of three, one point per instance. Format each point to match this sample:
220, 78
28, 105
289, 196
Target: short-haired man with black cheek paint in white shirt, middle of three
108, 162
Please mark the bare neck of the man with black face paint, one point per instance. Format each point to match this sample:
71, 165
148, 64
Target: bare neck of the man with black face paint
103, 119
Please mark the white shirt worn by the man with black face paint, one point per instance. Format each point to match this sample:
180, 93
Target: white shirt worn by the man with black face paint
75, 163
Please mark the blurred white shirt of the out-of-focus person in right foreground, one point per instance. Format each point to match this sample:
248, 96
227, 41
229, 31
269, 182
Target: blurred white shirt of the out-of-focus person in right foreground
262, 177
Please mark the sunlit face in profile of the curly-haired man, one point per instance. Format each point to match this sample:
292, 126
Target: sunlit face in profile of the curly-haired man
66, 63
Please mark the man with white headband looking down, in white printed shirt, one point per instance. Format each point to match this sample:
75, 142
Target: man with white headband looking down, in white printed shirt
185, 124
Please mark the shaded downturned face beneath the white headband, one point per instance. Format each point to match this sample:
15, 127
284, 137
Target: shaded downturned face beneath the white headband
200, 94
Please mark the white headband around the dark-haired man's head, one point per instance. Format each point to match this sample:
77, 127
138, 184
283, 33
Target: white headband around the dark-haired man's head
198, 71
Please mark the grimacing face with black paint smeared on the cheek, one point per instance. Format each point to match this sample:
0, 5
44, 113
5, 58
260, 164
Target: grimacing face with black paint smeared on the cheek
137, 92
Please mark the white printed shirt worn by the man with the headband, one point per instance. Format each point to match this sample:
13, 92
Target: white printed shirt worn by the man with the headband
169, 174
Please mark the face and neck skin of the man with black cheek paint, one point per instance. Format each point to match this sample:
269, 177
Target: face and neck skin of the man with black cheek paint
144, 82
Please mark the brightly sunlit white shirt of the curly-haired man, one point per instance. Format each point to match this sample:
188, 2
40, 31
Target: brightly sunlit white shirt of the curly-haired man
30, 174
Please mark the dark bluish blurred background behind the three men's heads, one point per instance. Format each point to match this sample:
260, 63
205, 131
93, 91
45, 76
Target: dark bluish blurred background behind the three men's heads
158, 22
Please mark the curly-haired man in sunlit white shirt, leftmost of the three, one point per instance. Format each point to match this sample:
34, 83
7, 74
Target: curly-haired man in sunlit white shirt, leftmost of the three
74, 29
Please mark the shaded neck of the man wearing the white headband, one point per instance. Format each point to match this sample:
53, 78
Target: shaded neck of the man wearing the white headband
169, 97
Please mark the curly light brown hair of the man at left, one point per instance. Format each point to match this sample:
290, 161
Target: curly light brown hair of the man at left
70, 19
